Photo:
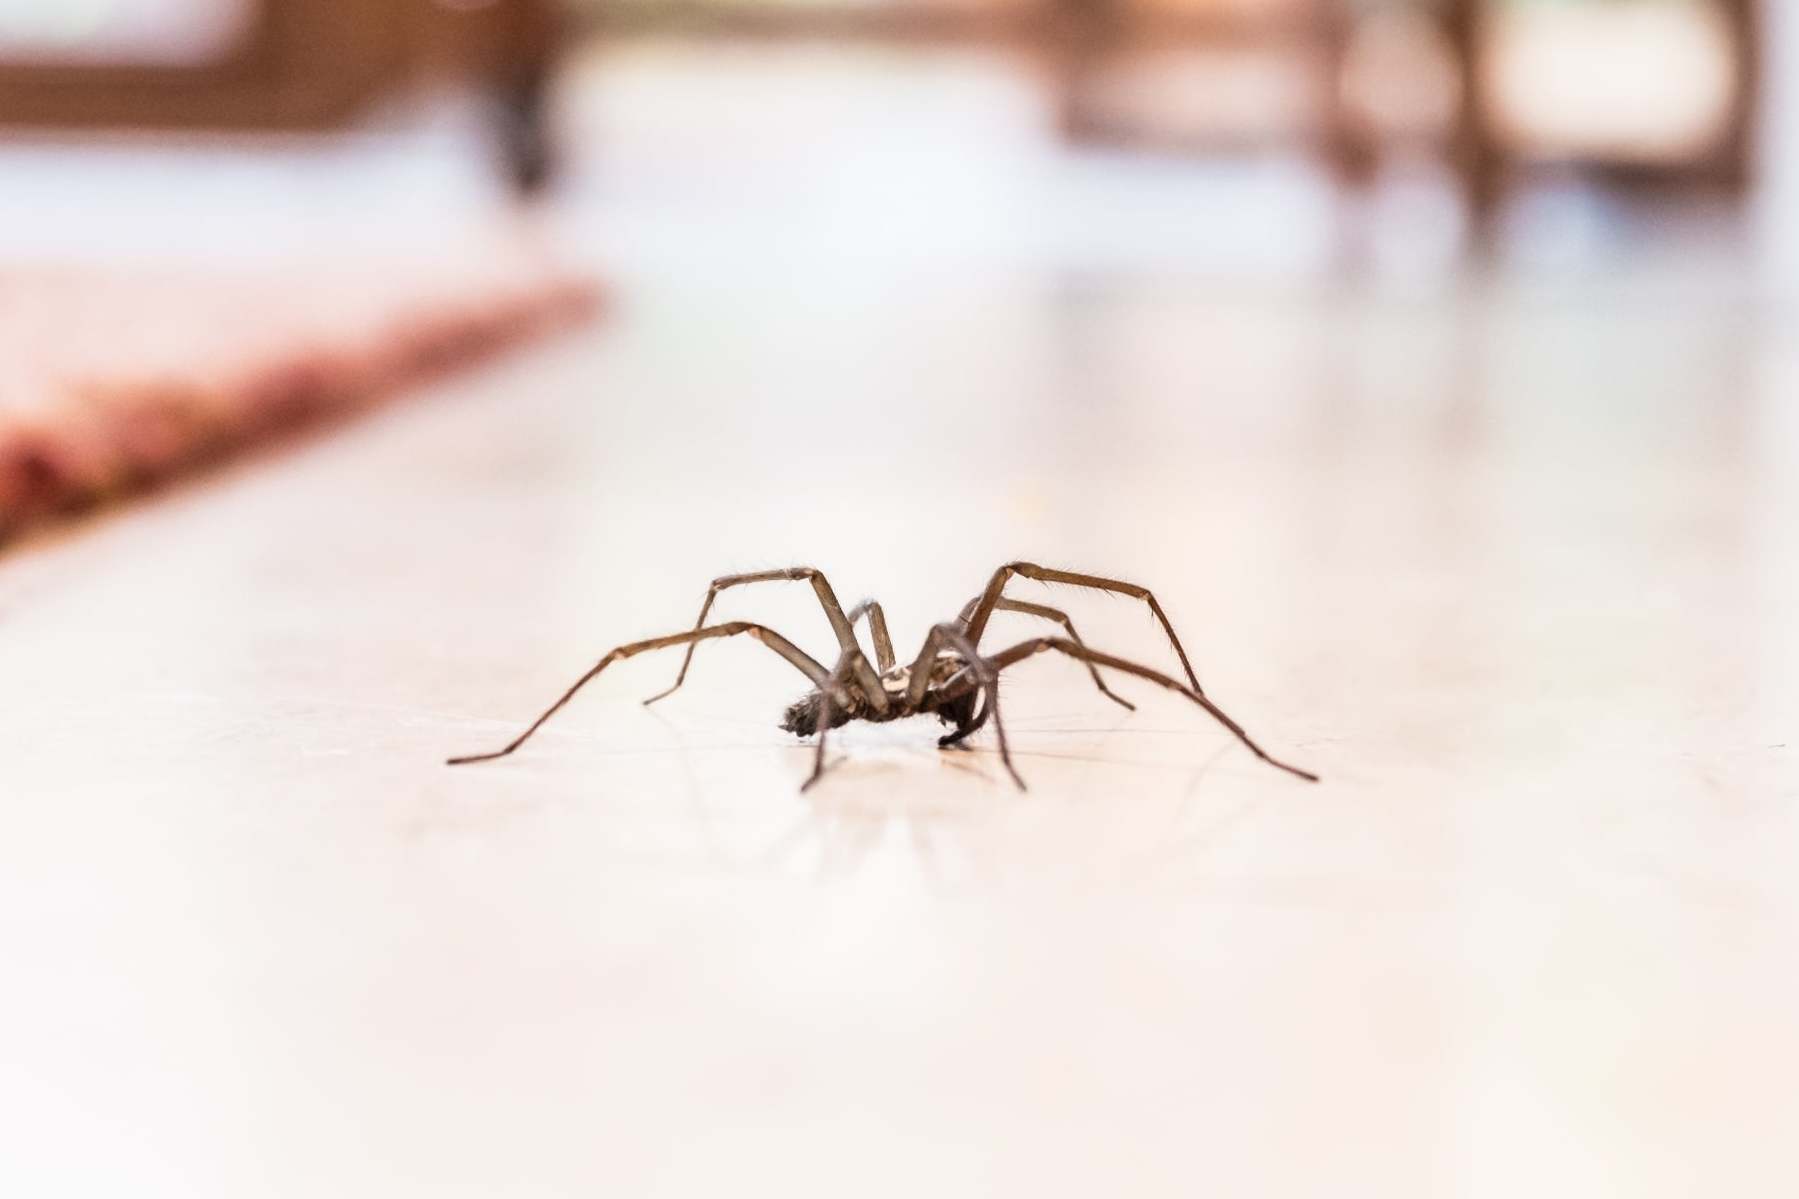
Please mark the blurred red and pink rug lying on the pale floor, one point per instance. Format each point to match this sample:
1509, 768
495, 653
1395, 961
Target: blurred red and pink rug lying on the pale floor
120, 381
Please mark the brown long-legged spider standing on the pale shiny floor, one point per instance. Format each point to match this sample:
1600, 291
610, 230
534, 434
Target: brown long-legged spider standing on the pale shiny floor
947, 680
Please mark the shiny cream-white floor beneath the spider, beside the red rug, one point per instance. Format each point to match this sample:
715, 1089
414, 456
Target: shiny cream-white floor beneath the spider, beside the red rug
1505, 557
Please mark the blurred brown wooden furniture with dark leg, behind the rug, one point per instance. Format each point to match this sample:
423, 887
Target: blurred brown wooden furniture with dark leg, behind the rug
282, 66
